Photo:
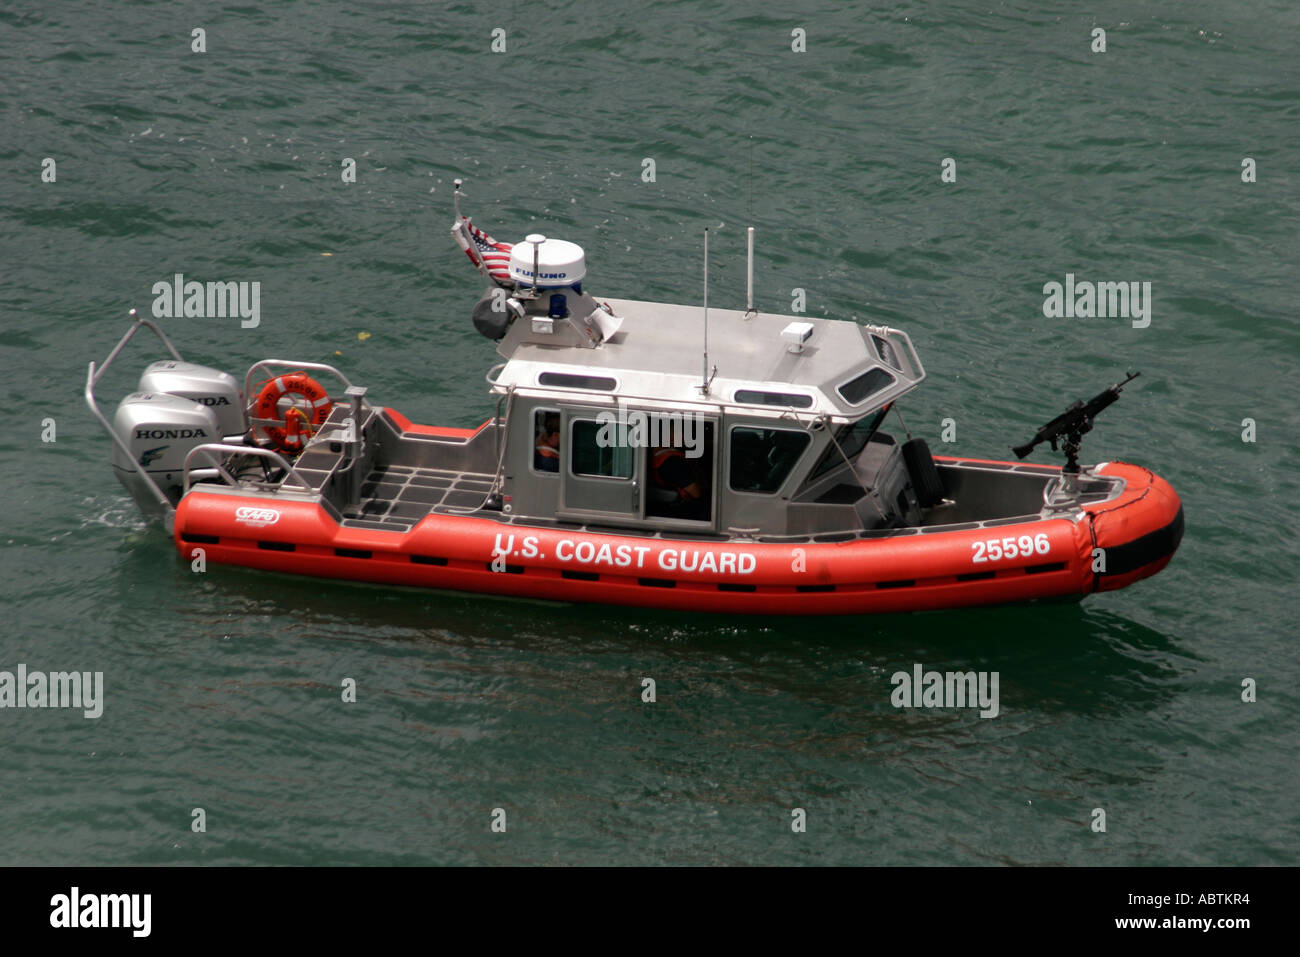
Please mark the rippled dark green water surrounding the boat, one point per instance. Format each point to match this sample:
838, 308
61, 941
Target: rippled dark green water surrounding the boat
223, 691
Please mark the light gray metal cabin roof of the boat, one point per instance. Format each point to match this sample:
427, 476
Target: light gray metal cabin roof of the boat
657, 354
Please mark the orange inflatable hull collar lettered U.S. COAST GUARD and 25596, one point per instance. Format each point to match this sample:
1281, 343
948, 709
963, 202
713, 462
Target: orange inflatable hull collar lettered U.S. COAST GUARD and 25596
905, 571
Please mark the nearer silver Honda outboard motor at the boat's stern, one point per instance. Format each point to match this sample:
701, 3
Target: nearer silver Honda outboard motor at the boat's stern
161, 431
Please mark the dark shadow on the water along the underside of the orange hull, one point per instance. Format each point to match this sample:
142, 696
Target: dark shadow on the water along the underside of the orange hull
1054, 657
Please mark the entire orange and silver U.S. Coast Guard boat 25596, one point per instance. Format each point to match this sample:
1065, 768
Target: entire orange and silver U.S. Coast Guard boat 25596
640, 454
